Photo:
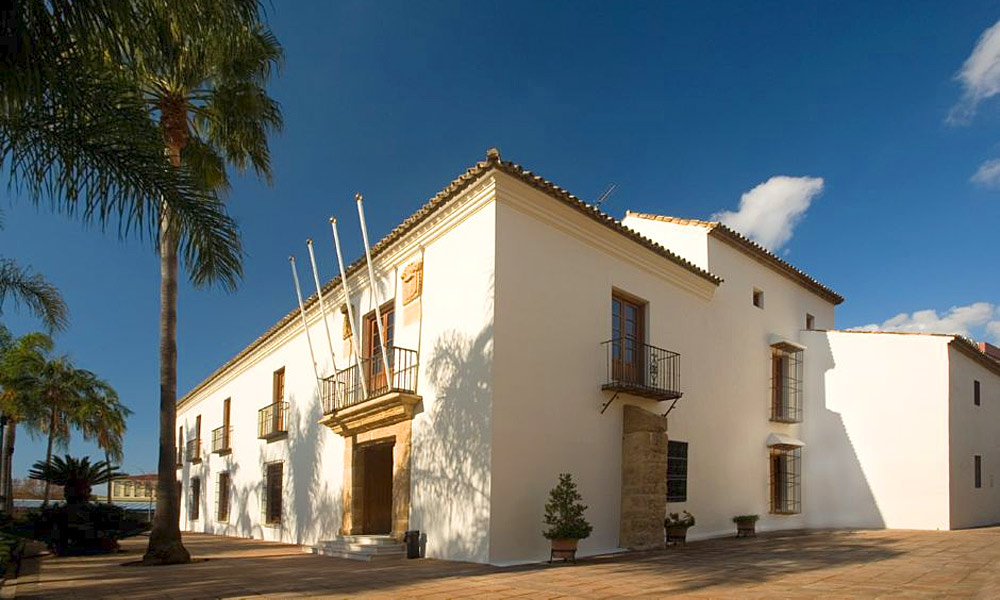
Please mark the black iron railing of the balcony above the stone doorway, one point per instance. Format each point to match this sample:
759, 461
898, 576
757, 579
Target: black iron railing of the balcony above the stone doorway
345, 389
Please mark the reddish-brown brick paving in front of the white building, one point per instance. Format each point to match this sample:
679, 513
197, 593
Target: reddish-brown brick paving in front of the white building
792, 565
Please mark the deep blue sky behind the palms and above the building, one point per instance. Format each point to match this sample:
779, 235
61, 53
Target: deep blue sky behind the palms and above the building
686, 106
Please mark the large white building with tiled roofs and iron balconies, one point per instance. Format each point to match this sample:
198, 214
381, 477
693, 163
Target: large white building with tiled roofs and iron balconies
531, 335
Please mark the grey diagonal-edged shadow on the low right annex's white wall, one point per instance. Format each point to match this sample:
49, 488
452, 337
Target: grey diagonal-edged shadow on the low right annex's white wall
837, 490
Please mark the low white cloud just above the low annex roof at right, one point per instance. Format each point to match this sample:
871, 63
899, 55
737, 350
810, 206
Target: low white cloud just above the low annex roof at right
976, 320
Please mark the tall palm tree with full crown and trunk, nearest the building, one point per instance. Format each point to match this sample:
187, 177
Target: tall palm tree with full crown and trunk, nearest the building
206, 89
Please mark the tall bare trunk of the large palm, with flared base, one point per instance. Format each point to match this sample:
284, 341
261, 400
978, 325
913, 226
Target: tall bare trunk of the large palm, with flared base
165, 546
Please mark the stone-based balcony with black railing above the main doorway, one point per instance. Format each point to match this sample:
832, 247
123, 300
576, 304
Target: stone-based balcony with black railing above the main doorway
352, 406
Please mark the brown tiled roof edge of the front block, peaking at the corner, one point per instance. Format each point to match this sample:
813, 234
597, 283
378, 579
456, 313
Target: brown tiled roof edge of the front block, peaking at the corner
472, 174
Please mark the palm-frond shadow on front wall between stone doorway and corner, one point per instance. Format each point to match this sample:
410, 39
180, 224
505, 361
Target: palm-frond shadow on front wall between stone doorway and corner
451, 454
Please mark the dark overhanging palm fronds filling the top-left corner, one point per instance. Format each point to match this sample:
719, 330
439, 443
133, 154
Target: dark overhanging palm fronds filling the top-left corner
75, 133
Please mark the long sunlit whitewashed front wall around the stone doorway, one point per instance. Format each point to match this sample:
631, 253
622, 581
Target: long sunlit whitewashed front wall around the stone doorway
452, 327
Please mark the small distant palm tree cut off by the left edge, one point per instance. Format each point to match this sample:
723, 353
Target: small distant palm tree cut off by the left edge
17, 406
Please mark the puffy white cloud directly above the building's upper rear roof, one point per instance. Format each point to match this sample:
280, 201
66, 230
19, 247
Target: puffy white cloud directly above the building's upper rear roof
769, 213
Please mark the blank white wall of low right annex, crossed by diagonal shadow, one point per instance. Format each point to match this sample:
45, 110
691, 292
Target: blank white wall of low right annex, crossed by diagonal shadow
877, 430
